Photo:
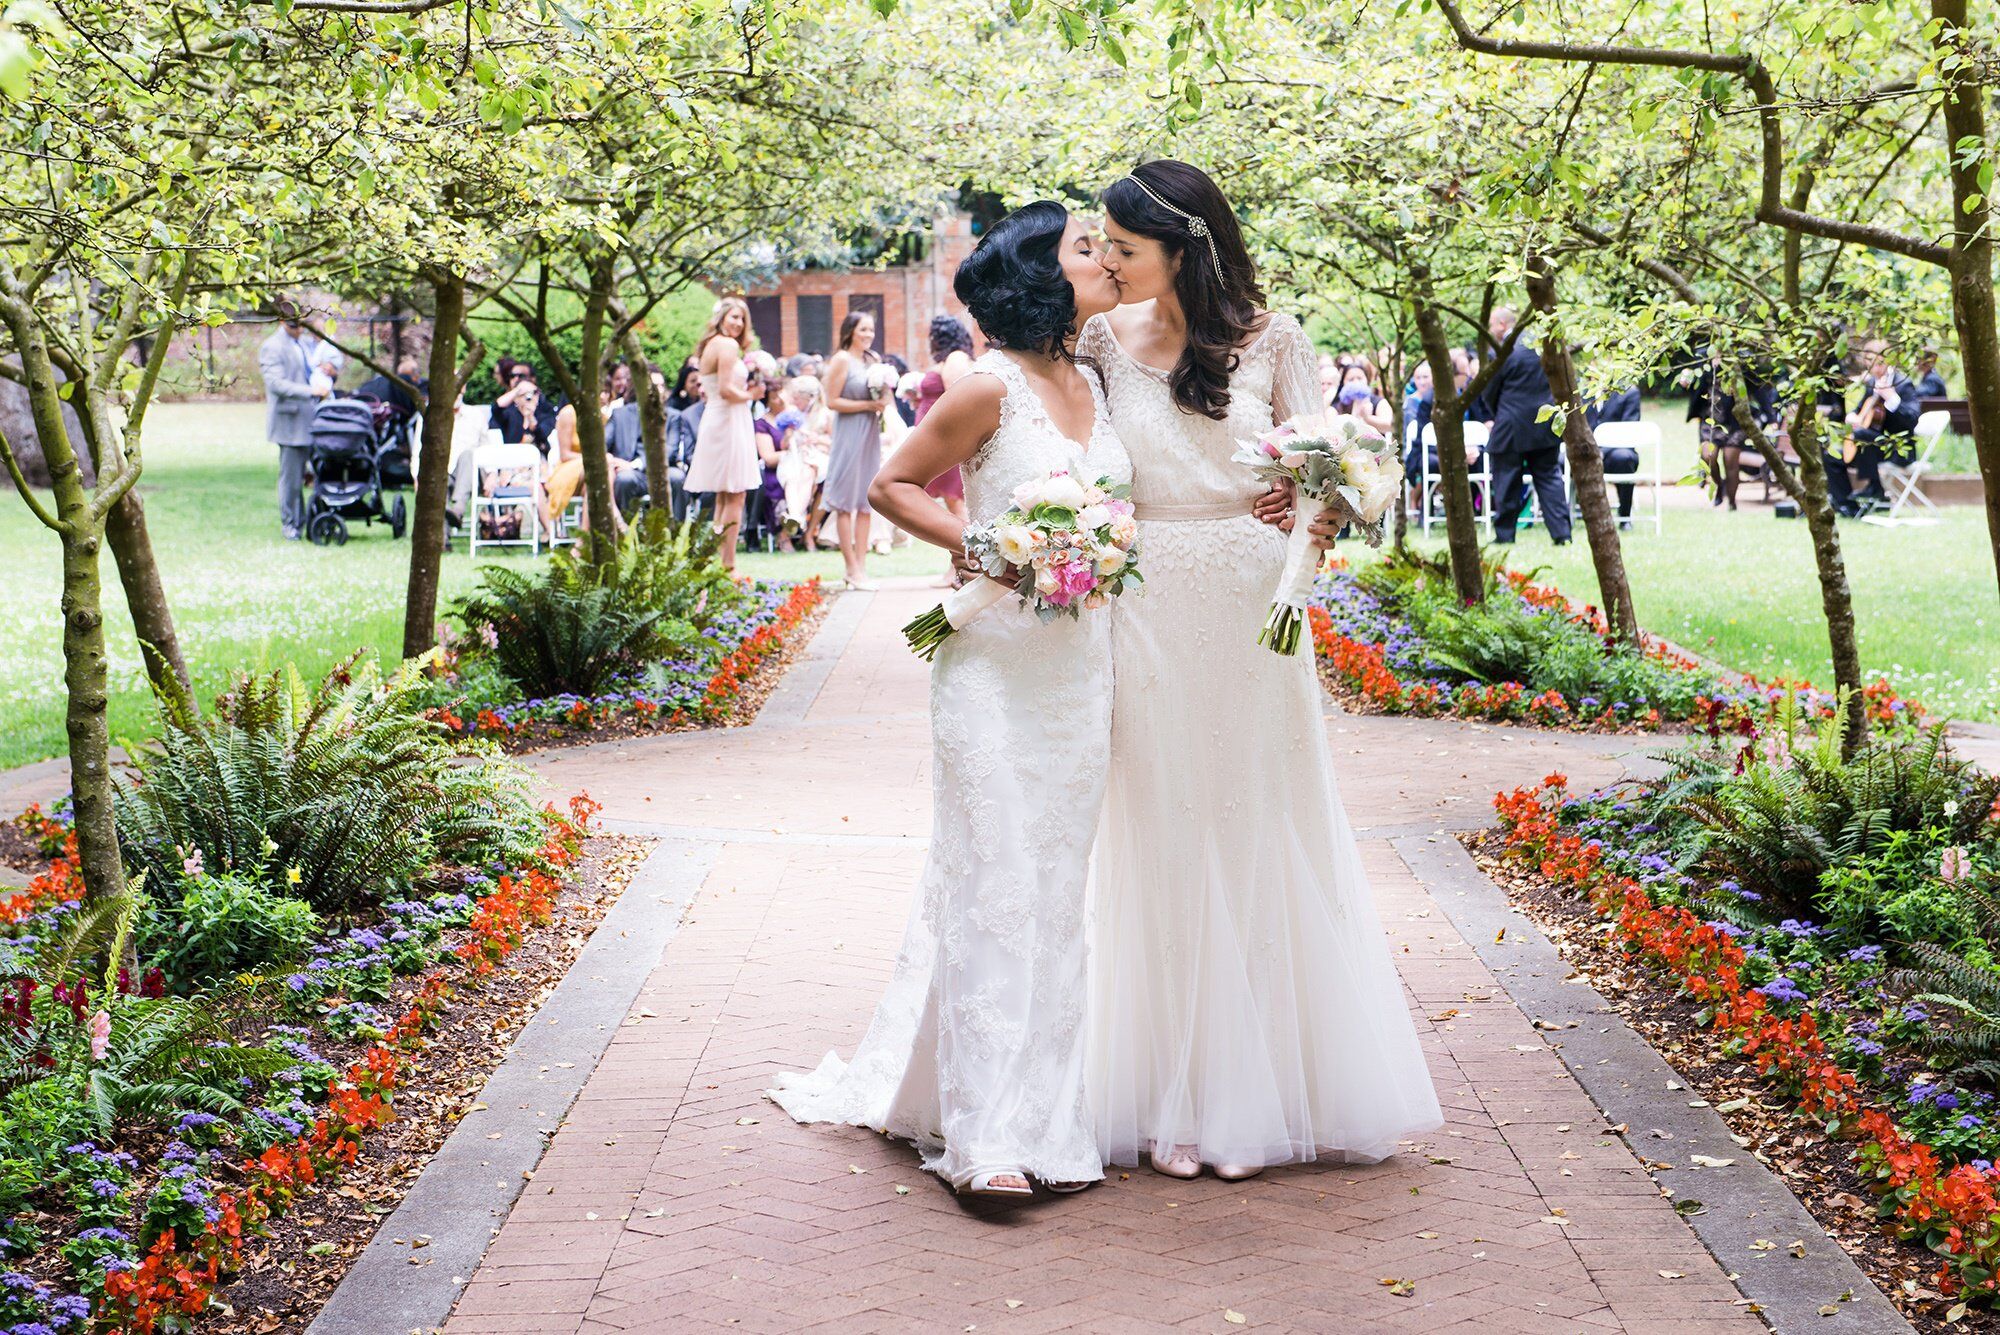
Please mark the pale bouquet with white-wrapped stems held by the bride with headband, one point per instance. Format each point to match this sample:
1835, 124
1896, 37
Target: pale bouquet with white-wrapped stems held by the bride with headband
1329, 463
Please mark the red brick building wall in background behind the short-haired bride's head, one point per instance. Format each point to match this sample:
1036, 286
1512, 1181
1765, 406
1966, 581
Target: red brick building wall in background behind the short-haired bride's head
805, 309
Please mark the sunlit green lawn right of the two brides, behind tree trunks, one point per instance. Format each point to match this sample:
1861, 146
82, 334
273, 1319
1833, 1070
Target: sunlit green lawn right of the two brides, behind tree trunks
1743, 591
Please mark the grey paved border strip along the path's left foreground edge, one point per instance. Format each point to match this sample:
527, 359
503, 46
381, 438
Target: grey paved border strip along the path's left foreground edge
471, 1186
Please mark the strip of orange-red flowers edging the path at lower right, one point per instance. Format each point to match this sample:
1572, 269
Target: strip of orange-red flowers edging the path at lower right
1951, 1210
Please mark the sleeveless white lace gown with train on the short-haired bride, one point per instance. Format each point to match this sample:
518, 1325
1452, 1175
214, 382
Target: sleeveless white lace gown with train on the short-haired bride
977, 1048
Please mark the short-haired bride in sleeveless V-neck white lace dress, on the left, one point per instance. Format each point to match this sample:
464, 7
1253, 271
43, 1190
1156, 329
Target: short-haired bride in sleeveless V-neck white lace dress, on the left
977, 1048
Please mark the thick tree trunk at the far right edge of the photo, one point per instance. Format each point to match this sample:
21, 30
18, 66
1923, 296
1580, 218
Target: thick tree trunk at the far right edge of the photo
1973, 251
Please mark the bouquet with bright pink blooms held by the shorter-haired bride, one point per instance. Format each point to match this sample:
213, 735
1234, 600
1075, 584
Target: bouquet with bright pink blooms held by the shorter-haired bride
1063, 547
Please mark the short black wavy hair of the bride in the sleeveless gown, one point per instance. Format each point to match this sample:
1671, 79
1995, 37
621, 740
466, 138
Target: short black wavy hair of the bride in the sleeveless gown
1013, 283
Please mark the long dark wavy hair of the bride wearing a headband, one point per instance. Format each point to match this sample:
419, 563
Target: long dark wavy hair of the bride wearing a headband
1221, 313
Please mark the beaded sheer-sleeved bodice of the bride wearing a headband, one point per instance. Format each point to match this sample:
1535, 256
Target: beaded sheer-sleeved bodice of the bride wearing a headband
1183, 459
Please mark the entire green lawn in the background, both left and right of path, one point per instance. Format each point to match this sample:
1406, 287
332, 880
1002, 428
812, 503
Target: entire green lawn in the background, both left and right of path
1735, 587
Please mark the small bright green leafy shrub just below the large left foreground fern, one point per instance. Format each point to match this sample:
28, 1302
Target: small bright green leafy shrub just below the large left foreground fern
223, 926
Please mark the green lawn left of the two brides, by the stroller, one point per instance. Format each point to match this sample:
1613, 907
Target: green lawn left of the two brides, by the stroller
241, 595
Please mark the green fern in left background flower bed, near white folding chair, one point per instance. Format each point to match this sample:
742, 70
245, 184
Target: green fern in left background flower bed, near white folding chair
595, 617
